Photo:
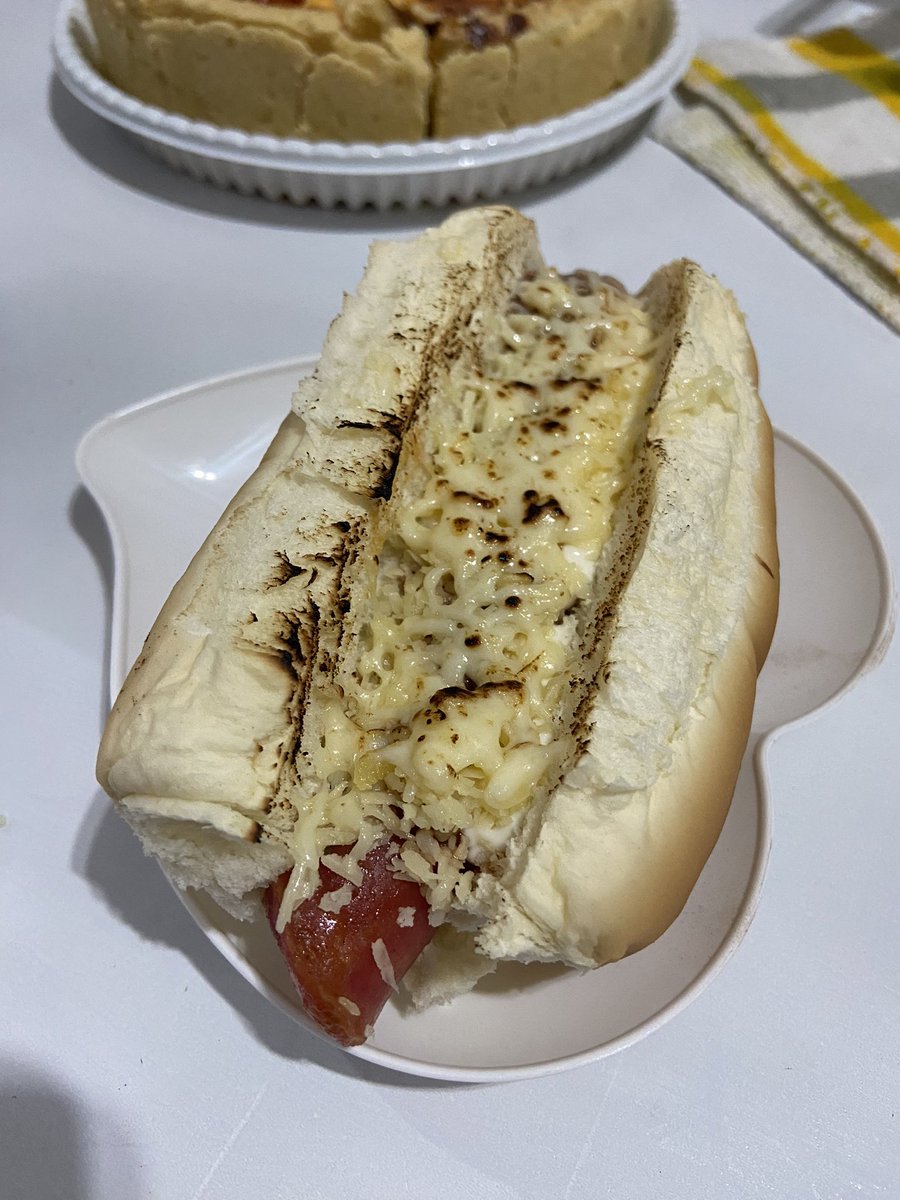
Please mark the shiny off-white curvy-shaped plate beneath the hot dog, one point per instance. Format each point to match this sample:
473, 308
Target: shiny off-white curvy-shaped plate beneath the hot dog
161, 472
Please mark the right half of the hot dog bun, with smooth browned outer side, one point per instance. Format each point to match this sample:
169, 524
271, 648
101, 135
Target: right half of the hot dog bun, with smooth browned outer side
611, 861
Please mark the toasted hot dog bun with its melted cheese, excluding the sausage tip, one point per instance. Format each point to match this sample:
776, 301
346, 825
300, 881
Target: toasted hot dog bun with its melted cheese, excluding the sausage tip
559, 806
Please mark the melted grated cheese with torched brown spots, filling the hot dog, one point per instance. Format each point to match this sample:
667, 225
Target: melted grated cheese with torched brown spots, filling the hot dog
455, 721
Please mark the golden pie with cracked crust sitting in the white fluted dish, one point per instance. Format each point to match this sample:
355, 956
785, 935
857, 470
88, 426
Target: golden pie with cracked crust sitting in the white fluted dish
374, 70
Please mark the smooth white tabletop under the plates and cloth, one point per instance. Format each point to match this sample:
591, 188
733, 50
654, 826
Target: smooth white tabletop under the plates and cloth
135, 1063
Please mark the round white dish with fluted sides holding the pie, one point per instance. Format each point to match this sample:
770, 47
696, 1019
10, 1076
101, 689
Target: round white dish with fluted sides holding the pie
436, 172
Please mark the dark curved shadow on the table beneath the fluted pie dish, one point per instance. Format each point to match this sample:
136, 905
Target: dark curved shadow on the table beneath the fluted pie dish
115, 154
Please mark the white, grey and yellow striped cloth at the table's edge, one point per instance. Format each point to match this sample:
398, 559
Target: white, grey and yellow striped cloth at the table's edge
807, 133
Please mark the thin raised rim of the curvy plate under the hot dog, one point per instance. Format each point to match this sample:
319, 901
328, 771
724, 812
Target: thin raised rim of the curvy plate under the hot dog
757, 753
